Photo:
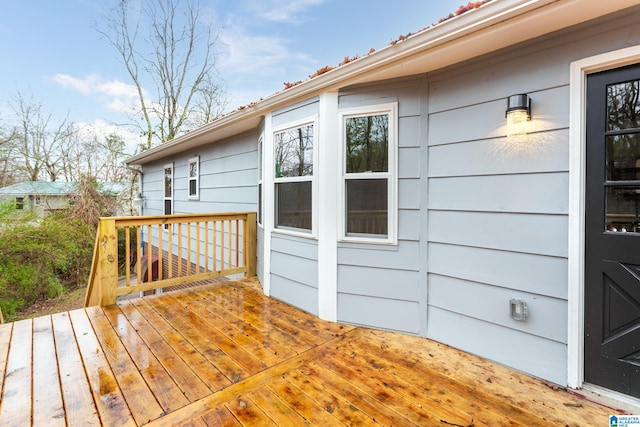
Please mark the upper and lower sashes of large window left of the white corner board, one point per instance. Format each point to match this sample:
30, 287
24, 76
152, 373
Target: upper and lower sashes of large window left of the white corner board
294, 153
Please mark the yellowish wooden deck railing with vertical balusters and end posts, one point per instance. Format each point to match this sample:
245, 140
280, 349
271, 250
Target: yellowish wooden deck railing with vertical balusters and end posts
139, 254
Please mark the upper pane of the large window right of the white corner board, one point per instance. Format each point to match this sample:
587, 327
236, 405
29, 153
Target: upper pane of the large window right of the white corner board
367, 143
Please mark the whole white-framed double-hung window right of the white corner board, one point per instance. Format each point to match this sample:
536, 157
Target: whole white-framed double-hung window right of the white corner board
369, 183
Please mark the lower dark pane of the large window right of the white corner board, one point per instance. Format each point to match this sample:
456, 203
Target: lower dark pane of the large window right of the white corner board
367, 202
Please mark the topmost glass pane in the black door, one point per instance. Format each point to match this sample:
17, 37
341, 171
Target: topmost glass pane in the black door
623, 106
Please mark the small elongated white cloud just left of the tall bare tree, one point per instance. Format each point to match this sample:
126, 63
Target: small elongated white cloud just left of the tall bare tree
114, 94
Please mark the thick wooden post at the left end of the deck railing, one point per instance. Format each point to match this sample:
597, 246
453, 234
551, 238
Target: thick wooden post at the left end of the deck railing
108, 260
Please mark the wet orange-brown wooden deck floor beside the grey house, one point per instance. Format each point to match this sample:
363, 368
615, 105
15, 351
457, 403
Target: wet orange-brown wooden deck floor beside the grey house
225, 355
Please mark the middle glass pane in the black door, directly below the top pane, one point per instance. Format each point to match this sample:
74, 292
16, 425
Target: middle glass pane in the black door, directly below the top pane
623, 157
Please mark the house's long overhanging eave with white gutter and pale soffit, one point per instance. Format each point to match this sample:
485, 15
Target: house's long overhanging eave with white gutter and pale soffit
489, 27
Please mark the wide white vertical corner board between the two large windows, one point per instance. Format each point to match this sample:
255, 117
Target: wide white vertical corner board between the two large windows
327, 226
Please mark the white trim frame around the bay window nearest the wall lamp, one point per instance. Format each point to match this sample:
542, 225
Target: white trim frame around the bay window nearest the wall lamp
392, 184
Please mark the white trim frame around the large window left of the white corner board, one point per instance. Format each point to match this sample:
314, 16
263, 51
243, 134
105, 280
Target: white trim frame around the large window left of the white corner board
313, 178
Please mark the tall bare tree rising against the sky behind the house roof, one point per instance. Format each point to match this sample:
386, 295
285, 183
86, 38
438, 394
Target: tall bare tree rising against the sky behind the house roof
167, 43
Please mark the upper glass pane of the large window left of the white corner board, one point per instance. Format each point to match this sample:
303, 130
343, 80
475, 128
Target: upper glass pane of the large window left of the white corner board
294, 152
